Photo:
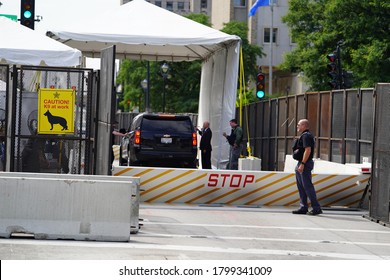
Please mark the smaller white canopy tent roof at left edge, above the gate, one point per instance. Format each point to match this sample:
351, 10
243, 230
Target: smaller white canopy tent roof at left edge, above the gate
22, 45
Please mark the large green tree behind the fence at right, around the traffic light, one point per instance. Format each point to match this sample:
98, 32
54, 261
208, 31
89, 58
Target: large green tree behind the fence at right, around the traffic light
363, 27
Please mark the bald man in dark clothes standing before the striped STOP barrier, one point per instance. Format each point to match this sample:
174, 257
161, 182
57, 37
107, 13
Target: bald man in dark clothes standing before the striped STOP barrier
303, 151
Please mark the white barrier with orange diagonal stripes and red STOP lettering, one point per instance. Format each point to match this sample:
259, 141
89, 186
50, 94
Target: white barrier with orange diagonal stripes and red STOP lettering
242, 187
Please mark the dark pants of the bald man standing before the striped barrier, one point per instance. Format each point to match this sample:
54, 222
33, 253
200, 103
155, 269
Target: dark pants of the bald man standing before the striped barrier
305, 186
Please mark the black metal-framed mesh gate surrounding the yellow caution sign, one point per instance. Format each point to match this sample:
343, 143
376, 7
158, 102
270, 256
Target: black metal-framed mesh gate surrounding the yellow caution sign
26, 81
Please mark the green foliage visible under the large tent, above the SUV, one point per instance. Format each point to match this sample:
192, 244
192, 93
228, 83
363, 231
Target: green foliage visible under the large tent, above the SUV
181, 86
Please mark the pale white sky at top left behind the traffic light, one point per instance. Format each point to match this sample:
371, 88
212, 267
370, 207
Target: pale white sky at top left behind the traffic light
60, 14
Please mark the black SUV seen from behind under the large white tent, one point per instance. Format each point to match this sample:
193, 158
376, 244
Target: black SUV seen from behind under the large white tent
162, 140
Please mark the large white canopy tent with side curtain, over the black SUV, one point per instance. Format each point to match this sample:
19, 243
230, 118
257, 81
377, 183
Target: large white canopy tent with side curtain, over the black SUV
143, 31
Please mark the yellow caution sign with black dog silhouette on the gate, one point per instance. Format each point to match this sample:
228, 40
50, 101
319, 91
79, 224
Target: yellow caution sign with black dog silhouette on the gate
56, 111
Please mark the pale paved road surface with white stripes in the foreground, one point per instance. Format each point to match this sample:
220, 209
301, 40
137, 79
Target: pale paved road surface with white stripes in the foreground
196, 232
